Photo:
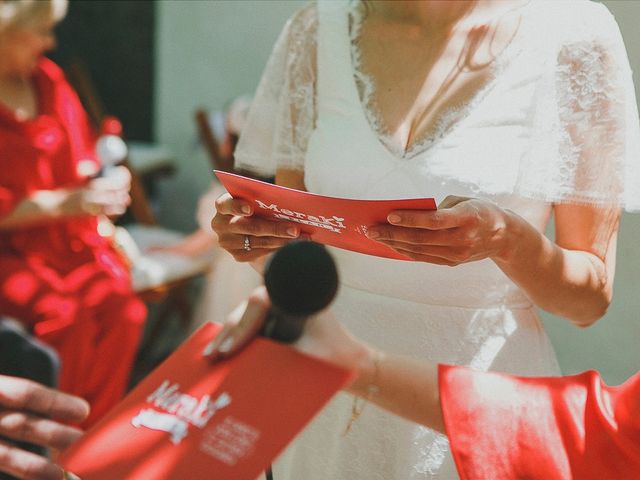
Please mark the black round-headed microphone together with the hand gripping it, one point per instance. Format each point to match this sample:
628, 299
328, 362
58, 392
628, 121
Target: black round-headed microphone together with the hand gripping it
300, 281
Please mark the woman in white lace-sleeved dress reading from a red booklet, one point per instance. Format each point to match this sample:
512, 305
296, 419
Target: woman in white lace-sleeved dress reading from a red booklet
510, 113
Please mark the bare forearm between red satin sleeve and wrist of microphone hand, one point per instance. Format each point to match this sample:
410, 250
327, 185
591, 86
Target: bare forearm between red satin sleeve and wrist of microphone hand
402, 385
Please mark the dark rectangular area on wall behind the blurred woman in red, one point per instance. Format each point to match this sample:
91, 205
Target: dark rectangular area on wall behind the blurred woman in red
114, 40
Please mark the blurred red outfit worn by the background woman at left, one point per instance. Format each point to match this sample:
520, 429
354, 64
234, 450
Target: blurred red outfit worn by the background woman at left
62, 278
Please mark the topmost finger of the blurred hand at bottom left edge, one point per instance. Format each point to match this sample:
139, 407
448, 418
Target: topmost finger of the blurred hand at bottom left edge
22, 394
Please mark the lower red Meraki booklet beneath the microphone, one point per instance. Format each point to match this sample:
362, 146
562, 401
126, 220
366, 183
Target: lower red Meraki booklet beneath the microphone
191, 419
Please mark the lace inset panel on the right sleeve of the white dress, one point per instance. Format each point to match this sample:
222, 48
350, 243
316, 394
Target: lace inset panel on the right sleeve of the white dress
591, 113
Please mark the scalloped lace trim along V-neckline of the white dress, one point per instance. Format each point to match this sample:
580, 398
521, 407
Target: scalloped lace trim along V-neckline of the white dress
446, 124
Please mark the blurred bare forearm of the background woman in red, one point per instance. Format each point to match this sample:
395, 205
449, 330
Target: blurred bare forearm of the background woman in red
43, 206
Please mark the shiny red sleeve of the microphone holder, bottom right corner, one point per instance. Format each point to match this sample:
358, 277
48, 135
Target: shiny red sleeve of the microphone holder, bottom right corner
507, 427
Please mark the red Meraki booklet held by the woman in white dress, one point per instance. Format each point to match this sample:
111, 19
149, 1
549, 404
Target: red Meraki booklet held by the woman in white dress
339, 222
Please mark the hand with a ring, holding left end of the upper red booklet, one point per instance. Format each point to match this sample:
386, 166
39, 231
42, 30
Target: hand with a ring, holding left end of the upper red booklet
246, 237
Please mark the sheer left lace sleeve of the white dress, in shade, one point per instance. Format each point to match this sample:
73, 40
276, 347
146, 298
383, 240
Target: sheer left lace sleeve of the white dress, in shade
283, 112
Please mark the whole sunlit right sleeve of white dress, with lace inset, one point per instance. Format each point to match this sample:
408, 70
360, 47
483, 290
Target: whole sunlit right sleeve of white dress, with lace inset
595, 157
